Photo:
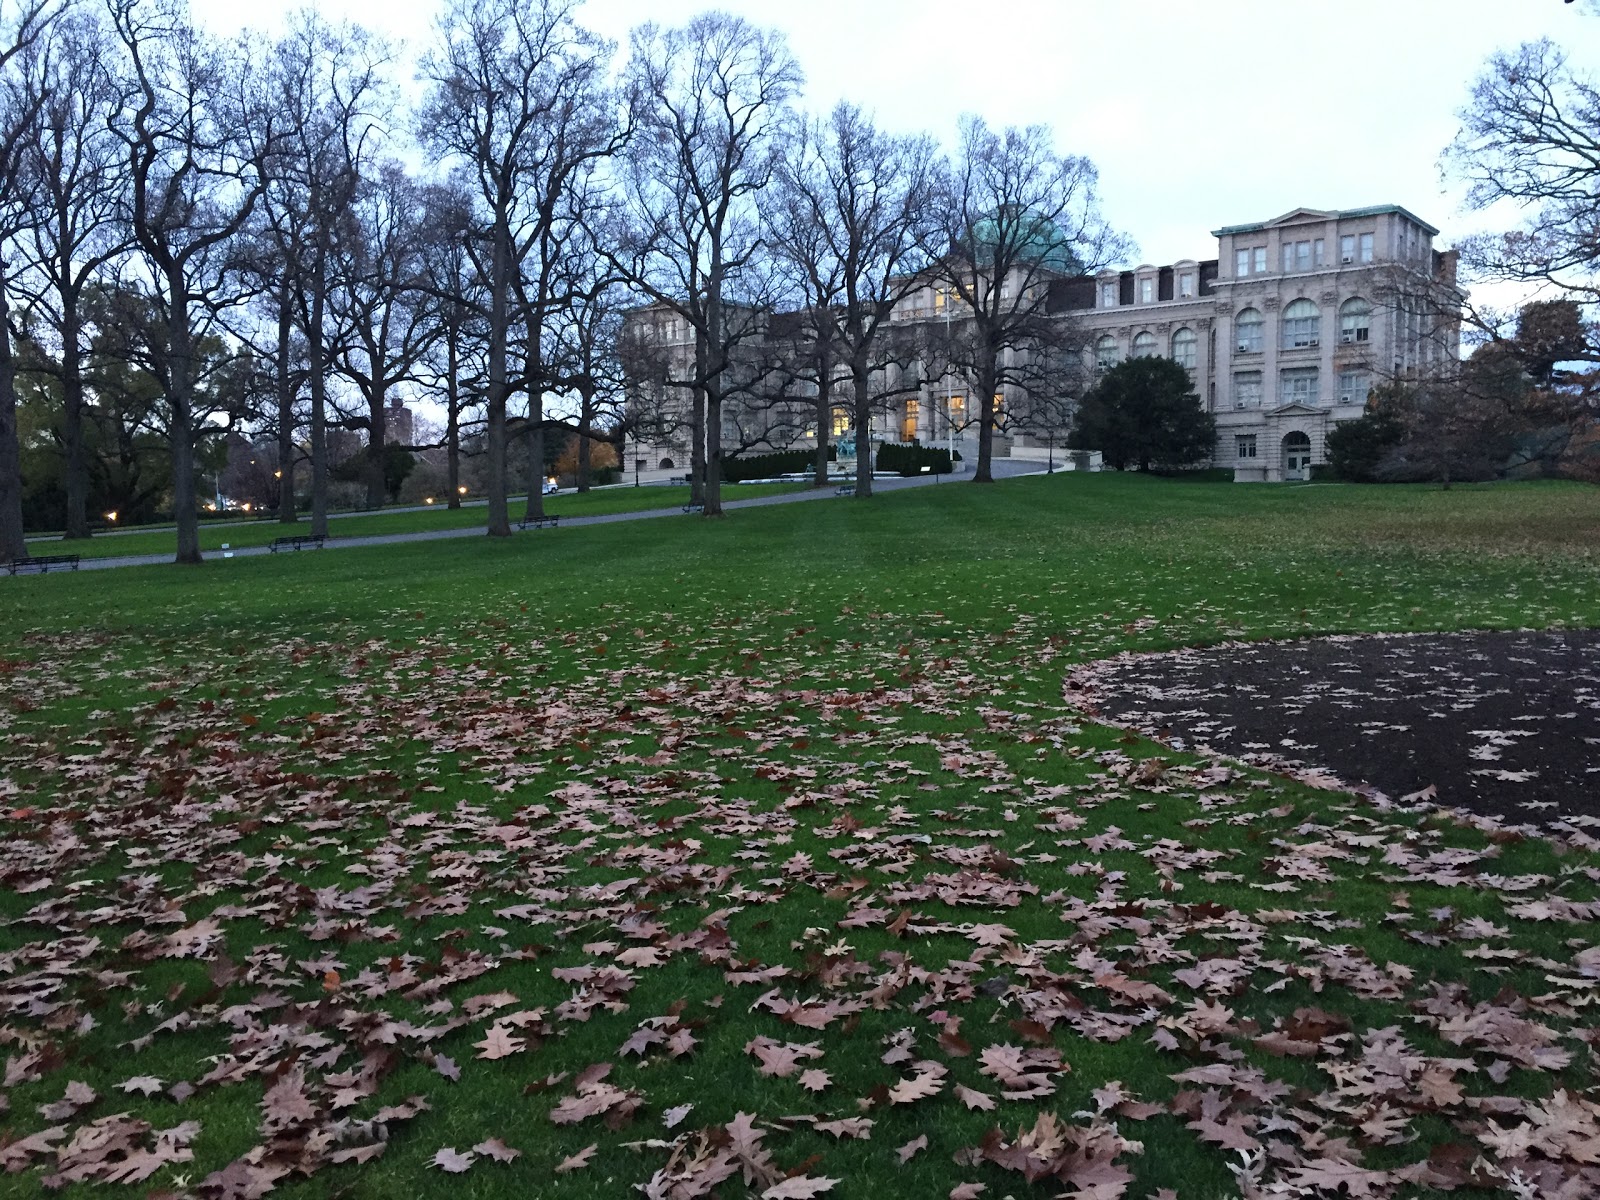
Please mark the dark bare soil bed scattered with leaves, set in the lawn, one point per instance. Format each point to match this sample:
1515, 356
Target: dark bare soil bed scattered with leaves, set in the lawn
1498, 724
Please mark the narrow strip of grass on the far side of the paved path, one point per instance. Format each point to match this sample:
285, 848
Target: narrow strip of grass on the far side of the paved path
374, 524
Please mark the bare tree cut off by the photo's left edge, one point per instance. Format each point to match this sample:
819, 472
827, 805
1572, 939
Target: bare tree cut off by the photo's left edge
20, 30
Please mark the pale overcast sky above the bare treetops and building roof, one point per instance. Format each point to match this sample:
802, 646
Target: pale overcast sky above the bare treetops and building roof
1198, 113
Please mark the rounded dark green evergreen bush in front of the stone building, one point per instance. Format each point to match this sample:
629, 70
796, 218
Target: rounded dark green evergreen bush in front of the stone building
1145, 414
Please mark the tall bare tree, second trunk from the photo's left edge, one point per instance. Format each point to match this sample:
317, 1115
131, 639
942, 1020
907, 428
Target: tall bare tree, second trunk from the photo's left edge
81, 180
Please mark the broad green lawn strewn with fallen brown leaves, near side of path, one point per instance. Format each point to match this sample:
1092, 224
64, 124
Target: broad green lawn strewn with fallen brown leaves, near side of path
780, 817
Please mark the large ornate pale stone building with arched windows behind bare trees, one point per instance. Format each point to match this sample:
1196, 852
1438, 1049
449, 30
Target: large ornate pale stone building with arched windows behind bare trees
1286, 334
